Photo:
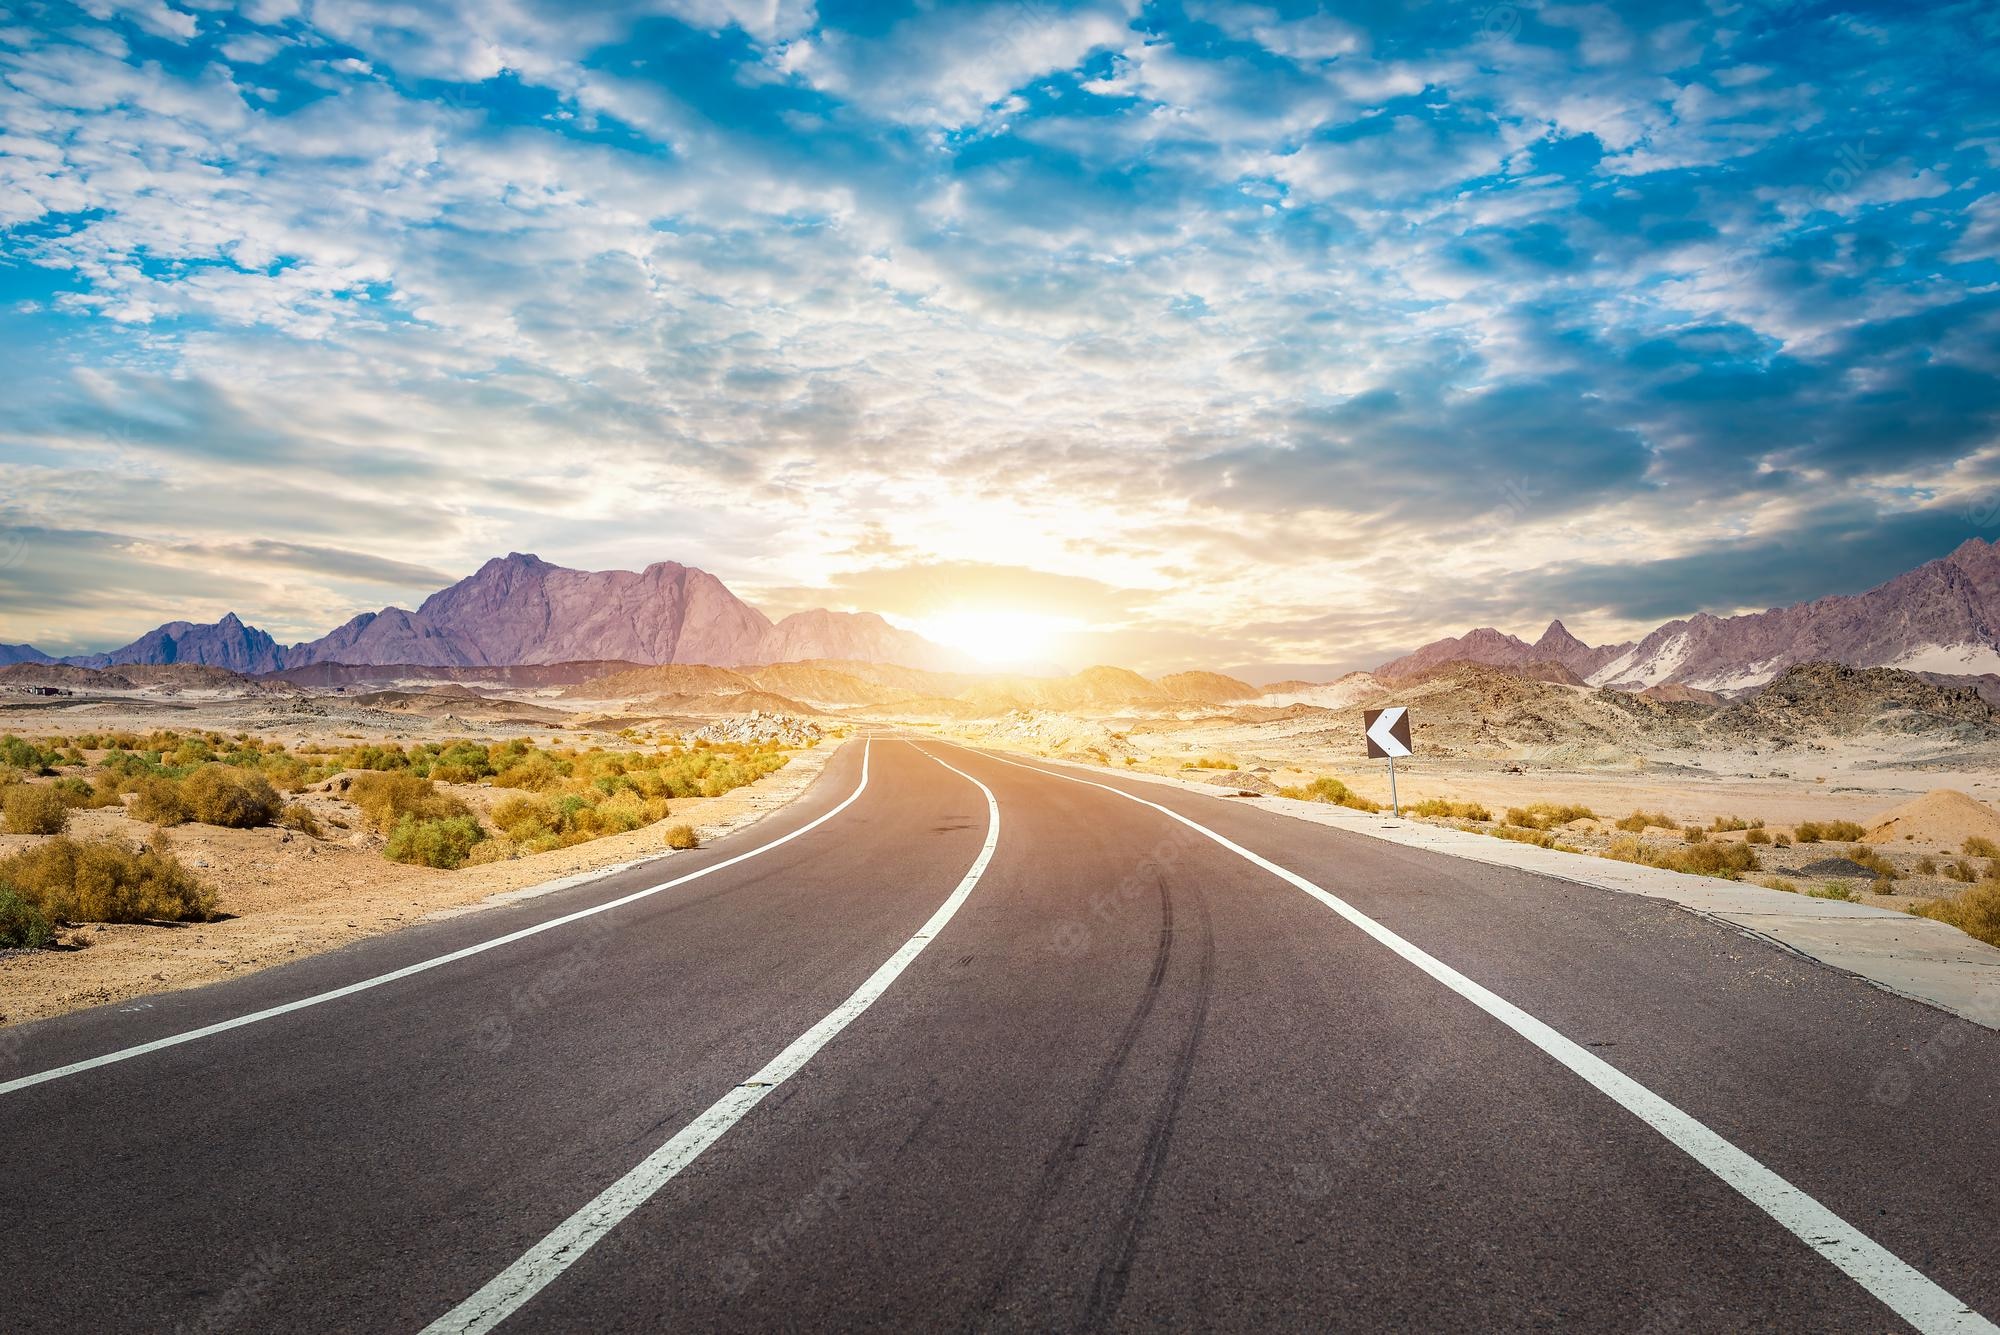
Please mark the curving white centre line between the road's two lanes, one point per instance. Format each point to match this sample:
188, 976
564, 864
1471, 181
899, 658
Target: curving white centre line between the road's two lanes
581, 1232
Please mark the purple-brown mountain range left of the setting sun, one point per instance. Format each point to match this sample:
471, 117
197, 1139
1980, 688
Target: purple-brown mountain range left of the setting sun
521, 611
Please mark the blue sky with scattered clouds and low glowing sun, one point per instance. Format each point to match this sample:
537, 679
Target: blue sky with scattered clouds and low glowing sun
1167, 335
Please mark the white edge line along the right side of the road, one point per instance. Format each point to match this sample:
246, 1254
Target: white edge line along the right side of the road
1889, 1278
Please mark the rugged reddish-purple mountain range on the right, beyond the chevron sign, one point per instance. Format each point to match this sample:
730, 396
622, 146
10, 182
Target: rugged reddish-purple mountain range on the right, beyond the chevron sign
1941, 619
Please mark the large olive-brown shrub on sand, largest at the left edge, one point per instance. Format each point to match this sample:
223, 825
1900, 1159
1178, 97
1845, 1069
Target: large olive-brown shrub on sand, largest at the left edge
105, 882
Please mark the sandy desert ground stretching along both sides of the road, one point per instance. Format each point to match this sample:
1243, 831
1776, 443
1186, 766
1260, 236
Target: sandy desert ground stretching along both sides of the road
1839, 784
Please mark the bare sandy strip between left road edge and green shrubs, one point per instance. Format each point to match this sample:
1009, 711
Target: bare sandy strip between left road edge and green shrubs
289, 894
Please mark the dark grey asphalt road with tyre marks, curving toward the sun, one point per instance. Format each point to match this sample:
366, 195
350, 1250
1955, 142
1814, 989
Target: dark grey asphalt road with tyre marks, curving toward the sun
1087, 1068
